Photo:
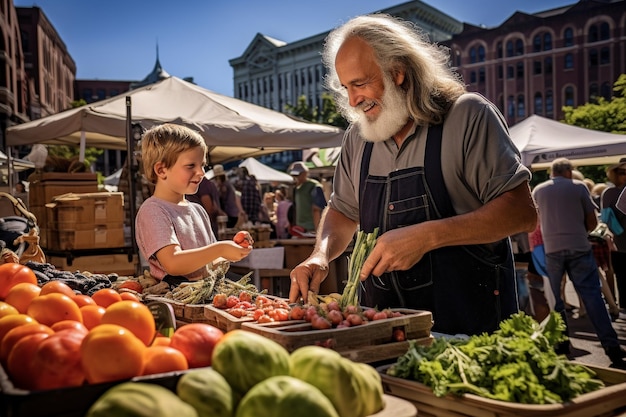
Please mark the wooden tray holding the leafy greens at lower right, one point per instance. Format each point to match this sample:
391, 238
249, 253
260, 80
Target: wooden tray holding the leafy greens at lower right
608, 401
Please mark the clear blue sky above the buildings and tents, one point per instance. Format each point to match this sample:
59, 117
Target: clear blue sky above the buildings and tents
116, 40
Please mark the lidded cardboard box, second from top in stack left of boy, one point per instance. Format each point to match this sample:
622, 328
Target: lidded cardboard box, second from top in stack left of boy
81, 211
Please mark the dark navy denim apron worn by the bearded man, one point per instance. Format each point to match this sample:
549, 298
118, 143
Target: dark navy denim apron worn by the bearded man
469, 289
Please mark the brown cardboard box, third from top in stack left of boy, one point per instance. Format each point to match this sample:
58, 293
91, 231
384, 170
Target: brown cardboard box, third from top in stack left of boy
98, 236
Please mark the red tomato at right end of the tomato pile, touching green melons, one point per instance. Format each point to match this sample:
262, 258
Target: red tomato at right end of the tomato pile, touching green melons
196, 341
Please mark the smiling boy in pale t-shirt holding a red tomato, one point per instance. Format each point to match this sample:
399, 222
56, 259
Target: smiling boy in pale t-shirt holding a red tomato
173, 234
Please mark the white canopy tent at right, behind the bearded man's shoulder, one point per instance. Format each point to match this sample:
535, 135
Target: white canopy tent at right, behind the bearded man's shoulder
542, 140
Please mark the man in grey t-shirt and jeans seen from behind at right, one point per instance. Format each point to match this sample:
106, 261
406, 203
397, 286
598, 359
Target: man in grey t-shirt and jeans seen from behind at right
567, 214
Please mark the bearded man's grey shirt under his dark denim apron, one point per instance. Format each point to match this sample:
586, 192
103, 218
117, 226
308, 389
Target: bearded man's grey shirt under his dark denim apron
479, 161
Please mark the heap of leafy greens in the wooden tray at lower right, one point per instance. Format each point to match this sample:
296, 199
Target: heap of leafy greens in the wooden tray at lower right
516, 363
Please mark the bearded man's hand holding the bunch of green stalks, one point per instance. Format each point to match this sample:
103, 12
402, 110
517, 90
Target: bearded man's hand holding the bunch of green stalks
395, 250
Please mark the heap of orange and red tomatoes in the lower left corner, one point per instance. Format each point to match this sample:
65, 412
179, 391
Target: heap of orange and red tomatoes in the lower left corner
51, 337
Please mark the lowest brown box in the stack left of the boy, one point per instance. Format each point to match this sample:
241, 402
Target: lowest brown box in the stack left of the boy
117, 263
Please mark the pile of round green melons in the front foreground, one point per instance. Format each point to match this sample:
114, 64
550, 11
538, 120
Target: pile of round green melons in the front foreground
255, 376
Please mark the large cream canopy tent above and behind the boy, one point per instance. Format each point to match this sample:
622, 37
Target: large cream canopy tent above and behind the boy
233, 129
